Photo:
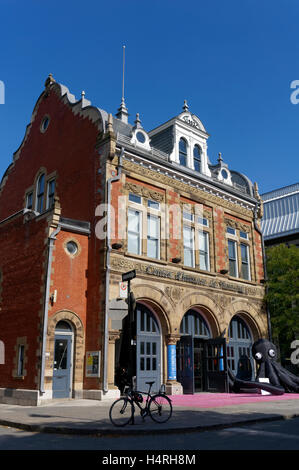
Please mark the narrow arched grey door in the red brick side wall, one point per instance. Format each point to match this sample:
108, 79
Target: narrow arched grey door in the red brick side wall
62, 366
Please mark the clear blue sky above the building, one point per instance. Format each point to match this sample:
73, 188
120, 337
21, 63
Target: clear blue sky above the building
233, 61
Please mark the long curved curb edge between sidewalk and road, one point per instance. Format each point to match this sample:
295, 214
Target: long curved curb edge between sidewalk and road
116, 432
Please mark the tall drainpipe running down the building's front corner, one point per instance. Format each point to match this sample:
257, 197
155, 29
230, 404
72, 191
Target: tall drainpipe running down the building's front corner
106, 333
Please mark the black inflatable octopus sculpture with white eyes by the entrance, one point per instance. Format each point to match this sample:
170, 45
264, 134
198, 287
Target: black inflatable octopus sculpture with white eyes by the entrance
280, 379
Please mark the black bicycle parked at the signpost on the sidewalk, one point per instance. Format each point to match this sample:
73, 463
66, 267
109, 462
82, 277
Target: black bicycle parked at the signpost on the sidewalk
157, 406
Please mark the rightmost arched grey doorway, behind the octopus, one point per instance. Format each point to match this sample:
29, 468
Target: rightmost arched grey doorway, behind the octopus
239, 358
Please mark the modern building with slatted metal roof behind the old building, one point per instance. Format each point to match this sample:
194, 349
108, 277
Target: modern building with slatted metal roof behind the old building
280, 222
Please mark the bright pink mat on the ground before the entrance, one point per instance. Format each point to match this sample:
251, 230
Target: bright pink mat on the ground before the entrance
213, 400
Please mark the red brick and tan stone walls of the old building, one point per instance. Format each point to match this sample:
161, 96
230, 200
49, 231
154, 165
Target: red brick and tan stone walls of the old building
42, 286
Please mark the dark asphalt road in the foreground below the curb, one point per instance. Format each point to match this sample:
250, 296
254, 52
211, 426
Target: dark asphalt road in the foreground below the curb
278, 435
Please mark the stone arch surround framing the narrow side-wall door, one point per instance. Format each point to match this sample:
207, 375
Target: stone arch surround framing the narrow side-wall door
79, 349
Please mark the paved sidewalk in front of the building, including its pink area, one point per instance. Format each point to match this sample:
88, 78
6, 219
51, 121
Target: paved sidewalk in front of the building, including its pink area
190, 413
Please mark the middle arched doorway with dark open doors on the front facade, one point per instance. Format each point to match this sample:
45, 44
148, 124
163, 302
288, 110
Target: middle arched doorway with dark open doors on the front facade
194, 332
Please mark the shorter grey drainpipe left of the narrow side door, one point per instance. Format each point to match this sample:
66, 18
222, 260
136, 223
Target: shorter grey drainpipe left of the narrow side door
51, 240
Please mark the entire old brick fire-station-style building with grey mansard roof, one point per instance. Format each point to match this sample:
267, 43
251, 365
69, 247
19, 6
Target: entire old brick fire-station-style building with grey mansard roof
89, 197
